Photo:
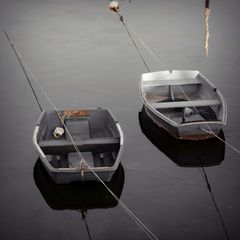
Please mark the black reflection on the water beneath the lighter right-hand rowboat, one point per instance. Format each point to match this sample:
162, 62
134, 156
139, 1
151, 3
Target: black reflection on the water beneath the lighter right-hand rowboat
182, 152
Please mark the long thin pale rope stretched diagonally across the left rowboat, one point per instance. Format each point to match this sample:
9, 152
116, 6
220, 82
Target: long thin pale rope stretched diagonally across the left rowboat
141, 225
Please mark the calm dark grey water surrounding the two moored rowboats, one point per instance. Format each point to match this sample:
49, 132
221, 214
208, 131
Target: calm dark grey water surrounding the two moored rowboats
84, 58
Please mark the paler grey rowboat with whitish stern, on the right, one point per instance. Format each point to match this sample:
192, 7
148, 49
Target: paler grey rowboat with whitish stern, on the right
184, 103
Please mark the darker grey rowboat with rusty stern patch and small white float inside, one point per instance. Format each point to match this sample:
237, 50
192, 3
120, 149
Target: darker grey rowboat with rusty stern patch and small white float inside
95, 132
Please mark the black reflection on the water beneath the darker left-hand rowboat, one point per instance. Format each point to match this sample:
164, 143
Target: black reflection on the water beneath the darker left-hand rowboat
78, 195
